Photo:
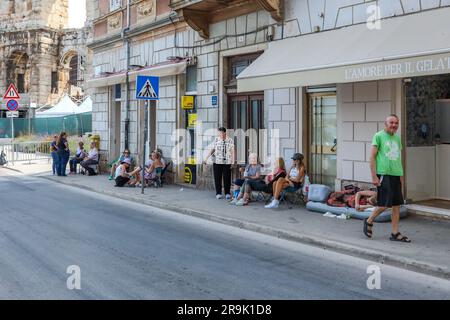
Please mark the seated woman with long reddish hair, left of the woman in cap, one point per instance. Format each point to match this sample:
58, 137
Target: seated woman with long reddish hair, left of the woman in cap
279, 171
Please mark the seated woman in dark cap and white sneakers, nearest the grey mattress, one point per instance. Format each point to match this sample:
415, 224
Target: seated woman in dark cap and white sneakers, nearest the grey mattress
294, 180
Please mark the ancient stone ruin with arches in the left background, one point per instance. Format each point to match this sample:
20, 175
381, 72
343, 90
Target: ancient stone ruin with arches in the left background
41, 56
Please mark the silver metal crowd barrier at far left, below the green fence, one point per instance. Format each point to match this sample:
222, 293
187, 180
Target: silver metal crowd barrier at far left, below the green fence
25, 151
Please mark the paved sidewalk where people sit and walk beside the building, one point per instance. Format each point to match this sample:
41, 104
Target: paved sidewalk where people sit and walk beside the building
428, 253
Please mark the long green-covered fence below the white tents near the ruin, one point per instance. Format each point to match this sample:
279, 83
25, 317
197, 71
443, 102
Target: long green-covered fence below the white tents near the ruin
77, 124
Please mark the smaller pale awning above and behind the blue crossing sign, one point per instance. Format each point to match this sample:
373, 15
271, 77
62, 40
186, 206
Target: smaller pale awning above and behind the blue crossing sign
162, 70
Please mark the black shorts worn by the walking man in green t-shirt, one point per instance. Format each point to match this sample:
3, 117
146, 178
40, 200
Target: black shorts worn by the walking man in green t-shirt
389, 193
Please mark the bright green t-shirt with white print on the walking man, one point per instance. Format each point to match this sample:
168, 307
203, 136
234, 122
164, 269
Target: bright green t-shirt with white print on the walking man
389, 156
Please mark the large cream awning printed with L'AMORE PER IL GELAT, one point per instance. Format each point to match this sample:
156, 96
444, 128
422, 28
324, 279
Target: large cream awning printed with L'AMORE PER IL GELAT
412, 45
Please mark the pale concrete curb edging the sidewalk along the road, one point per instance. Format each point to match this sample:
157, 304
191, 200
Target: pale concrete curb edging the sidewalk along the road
371, 255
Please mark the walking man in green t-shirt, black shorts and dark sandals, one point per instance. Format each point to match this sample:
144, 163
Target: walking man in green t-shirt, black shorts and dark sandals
387, 175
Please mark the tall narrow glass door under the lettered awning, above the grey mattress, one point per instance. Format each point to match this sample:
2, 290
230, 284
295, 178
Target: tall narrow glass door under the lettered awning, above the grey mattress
323, 138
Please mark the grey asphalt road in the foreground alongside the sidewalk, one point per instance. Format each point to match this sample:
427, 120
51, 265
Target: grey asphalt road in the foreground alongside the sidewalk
130, 251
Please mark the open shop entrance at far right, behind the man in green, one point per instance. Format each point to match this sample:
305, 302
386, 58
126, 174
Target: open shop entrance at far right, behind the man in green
427, 106
